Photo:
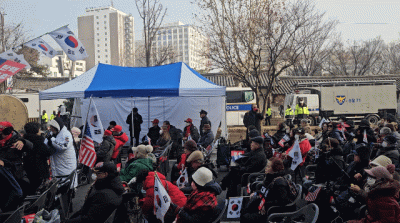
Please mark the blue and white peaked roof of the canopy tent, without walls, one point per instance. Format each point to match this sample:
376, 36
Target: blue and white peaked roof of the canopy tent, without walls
173, 80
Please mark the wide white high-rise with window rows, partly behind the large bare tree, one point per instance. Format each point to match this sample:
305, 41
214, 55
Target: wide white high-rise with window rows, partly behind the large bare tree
184, 42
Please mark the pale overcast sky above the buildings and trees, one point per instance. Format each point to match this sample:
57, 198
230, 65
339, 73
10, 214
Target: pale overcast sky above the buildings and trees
359, 19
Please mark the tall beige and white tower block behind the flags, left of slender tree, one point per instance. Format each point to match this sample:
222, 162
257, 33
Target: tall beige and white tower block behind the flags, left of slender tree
108, 36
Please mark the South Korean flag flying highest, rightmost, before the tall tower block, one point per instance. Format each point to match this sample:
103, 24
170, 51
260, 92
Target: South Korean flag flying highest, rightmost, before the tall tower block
69, 43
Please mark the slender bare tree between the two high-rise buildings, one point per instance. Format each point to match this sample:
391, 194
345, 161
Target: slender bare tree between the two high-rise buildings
152, 14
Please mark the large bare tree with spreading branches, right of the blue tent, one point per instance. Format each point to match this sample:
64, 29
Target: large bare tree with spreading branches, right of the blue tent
259, 39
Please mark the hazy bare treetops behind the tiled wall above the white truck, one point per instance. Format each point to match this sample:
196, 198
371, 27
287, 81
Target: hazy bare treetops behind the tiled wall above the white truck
359, 58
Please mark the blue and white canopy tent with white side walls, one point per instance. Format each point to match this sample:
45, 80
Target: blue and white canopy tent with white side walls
171, 92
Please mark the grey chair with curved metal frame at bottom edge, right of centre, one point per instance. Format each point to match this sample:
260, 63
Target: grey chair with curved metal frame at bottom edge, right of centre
308, 214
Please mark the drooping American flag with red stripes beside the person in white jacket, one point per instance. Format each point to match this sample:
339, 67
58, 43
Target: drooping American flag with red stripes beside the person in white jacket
87, 154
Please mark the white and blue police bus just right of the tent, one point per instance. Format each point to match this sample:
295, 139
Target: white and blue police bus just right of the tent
238, 101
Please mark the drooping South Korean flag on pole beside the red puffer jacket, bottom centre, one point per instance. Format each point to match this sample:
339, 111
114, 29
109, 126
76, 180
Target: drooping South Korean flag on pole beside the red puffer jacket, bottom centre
162, 201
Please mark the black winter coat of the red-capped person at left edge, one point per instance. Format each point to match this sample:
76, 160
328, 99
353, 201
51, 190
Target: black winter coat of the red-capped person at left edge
12, 157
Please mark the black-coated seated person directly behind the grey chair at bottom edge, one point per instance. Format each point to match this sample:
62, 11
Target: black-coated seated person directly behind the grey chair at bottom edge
275, 190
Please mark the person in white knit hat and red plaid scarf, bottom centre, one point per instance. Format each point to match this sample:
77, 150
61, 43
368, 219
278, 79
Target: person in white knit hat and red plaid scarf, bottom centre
202, 201
